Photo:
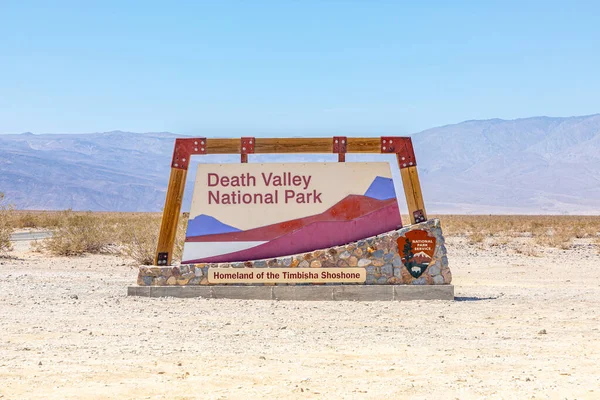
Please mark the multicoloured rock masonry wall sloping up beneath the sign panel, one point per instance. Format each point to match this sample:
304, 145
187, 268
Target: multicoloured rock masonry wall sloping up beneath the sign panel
378, 254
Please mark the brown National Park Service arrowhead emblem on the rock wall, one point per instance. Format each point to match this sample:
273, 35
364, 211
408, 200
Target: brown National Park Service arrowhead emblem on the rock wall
416, 249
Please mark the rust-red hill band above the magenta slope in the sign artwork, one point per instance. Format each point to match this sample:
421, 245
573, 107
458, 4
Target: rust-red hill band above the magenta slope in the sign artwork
348, 209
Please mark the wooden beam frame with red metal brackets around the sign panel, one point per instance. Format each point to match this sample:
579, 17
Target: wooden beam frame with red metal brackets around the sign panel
340, 145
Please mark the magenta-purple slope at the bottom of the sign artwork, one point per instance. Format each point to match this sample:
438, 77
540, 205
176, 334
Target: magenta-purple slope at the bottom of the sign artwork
318, 235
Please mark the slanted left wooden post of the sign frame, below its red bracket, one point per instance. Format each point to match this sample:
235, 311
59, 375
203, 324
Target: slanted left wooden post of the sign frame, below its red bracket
170, 219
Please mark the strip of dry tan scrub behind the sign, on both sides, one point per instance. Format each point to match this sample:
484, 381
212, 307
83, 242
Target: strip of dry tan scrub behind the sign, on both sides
135, 235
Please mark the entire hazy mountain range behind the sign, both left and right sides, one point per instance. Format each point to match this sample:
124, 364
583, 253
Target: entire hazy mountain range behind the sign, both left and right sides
534, 165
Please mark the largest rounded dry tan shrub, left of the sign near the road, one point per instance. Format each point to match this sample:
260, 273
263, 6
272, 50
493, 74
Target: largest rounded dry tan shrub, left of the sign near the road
79, 233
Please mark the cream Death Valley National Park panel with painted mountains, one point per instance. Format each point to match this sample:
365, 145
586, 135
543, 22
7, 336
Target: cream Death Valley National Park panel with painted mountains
244, 212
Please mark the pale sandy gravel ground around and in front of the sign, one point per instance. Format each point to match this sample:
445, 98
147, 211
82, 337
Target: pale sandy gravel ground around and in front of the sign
521, 327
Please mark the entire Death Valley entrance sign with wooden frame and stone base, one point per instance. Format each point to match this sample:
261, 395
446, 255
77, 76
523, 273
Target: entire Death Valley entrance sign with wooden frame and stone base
318, 231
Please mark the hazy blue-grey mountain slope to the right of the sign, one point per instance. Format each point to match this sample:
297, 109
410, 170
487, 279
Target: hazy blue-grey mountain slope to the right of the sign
534, 165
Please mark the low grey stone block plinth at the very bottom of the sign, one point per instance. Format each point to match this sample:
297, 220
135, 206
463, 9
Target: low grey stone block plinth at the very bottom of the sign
317, 293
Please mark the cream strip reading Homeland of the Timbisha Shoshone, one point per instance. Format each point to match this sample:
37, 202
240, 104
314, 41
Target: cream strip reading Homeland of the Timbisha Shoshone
287, 275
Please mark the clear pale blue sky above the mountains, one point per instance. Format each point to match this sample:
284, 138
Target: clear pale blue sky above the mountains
292, 67
